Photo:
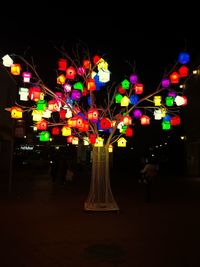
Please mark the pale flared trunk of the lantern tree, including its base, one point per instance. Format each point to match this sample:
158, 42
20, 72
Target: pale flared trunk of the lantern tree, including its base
100, 196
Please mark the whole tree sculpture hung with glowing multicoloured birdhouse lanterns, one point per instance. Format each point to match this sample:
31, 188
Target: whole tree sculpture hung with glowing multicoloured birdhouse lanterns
95, 111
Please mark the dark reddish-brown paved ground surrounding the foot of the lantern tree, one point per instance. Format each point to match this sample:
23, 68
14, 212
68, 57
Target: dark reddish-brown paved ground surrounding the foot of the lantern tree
44, 225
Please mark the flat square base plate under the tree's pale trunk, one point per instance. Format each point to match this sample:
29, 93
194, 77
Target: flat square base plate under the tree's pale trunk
101, 206
